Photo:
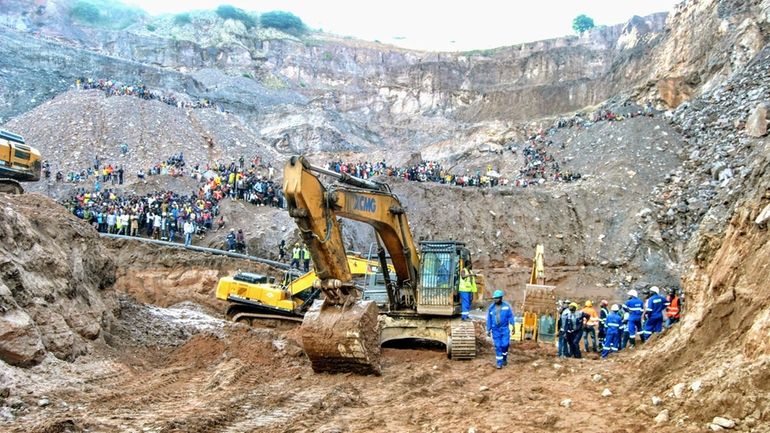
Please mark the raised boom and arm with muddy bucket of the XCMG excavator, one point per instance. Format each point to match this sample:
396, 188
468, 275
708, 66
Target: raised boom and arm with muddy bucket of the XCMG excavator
341, 332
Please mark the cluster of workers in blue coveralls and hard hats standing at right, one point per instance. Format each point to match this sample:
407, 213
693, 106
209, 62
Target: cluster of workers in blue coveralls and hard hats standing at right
616, 327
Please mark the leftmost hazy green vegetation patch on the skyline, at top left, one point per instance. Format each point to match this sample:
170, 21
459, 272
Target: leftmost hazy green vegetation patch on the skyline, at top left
109, 14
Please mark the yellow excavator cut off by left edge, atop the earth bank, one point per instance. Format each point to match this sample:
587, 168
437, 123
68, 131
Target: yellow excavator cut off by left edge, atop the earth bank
18, 163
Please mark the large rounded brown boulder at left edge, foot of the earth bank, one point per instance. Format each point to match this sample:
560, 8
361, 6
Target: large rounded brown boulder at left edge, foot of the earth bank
20, 342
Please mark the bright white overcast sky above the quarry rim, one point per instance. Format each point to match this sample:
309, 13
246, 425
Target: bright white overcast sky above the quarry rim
437, 25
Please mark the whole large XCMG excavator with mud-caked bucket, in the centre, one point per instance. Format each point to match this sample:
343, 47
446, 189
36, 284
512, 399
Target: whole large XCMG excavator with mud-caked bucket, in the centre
342, 332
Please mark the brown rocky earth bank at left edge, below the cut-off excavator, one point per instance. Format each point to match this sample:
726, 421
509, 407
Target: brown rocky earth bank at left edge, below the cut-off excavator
54, 278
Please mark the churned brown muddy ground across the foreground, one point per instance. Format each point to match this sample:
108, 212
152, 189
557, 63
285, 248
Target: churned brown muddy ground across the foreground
255, 380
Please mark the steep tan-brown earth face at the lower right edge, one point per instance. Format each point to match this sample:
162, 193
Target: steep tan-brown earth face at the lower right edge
723, 340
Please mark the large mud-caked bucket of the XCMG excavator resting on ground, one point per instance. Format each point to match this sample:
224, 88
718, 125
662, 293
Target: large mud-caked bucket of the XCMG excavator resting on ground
342, 338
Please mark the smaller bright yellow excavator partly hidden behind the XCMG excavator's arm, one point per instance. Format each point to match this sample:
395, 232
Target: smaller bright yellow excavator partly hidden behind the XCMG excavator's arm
254, 296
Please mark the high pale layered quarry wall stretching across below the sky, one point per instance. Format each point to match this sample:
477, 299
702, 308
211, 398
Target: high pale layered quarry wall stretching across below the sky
329, 93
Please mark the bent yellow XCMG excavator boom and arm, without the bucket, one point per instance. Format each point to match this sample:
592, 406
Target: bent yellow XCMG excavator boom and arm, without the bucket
315, 208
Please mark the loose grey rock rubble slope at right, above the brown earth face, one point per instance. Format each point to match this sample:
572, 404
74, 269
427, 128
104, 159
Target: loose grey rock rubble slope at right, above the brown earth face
721, 130
